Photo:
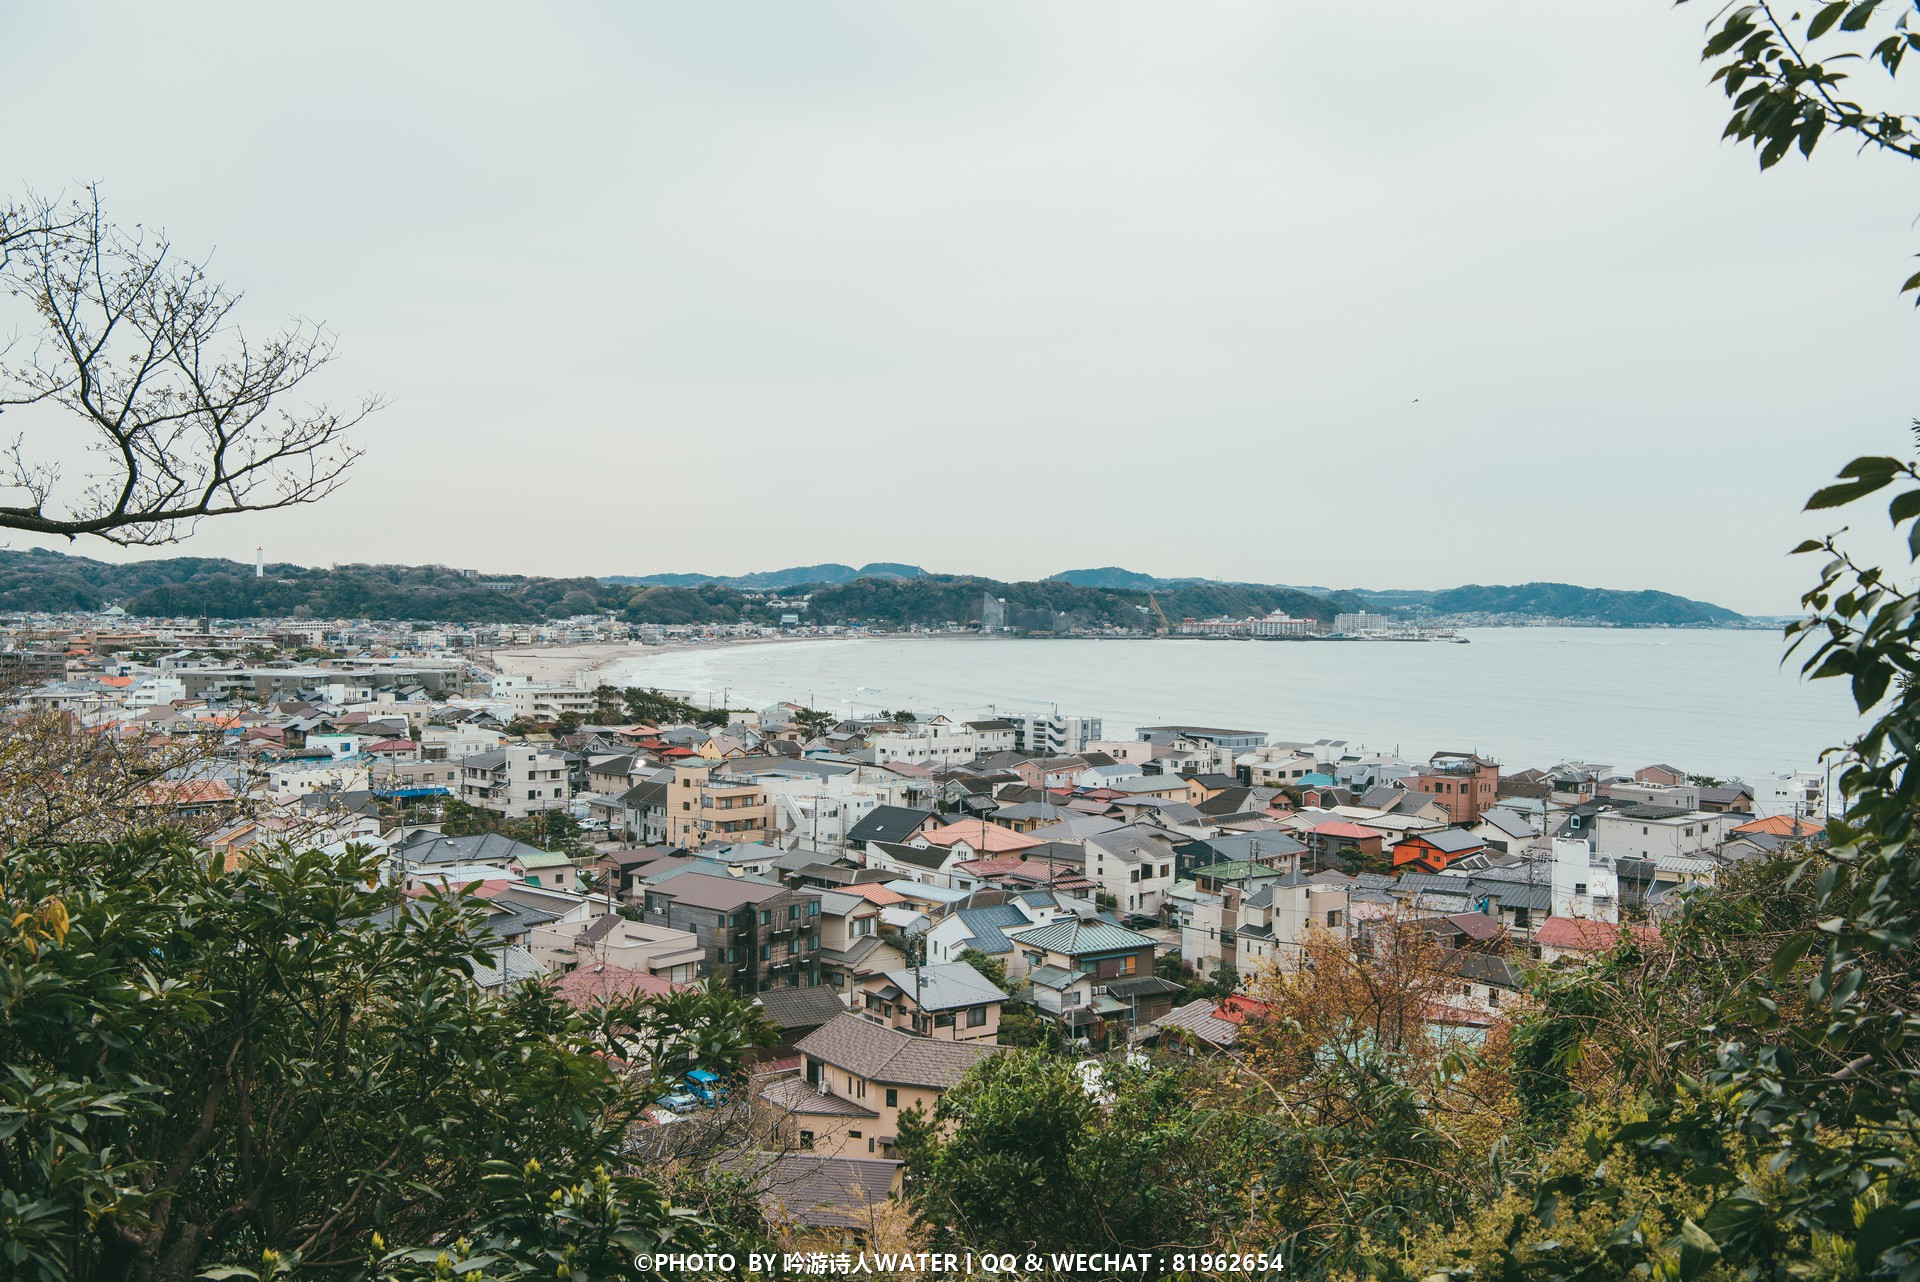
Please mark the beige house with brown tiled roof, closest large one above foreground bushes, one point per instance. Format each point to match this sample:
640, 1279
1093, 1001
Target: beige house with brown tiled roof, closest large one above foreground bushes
855, 1081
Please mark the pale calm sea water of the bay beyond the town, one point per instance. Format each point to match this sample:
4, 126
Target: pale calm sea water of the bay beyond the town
1706, 701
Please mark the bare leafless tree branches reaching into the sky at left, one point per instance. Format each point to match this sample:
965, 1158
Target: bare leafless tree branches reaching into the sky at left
139, 356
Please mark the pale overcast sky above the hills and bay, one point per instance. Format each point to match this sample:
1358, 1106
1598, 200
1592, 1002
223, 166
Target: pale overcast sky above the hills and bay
1268, 293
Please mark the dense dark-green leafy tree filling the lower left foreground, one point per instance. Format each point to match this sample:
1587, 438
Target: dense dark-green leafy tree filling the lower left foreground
208, 1066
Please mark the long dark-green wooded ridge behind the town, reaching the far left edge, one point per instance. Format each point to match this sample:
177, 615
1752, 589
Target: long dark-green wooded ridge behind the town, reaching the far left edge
191, 586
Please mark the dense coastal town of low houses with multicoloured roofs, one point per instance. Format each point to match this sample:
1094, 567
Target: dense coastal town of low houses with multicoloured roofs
901, 895
